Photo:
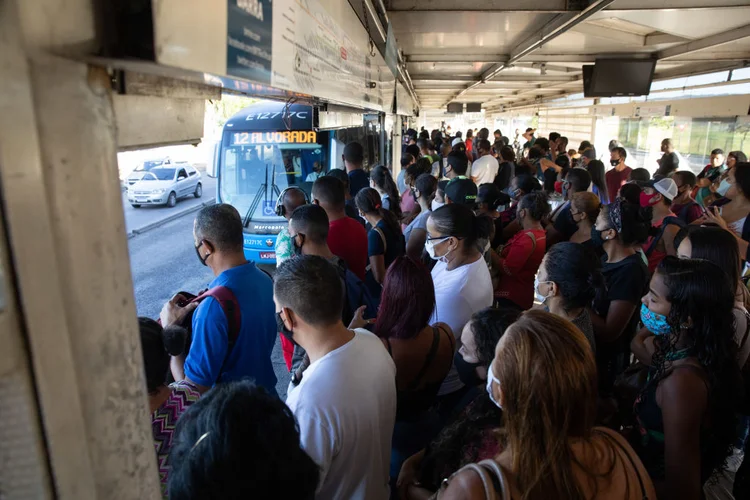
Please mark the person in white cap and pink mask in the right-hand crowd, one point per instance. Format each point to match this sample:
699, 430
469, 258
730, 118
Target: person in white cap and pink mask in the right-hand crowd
659, 195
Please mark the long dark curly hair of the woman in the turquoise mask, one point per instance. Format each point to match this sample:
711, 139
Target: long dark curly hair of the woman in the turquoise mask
701, 314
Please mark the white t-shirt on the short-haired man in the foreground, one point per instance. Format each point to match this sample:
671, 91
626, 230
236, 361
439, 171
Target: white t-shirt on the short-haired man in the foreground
345, 406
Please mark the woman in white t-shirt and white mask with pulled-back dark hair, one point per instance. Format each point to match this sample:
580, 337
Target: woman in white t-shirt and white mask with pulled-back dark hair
462, 279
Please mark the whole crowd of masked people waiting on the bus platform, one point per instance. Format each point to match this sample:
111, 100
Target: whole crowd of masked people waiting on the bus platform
495, 321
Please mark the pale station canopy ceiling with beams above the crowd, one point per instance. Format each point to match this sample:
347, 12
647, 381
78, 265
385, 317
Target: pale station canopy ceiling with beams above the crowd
505, 54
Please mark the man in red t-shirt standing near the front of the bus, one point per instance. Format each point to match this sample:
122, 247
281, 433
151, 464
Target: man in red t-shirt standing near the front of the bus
346, 237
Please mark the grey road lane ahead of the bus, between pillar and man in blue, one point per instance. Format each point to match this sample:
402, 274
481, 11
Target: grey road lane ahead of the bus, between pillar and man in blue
163, 262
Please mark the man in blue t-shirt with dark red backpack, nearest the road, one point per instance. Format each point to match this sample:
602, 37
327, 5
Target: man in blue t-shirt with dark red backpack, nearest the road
218, 243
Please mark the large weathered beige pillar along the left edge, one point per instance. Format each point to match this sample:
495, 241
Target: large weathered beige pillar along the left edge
63, 211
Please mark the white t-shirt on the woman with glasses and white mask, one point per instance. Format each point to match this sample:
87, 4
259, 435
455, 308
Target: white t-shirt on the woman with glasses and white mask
459, 294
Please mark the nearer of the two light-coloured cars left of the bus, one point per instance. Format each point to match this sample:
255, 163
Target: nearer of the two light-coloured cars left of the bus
164, 185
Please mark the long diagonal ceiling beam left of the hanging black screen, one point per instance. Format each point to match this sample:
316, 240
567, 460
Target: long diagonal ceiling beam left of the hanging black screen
559, 25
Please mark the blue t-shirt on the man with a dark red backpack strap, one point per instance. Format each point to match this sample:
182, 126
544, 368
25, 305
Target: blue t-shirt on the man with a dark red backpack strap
251, 354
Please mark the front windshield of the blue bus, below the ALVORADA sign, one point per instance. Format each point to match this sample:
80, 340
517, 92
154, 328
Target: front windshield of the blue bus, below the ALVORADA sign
253, 176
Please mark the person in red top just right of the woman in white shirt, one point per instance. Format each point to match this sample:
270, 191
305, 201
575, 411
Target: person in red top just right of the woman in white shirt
520, 258
